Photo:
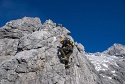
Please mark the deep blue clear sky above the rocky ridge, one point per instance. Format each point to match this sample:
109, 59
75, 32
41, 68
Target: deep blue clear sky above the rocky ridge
97, 24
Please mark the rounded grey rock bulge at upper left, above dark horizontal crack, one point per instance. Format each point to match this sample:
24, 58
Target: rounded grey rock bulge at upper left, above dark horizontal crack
18, 28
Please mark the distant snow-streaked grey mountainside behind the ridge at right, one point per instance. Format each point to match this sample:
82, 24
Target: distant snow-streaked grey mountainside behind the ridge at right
110, 64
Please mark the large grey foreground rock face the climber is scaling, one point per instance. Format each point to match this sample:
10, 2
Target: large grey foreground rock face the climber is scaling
28, 55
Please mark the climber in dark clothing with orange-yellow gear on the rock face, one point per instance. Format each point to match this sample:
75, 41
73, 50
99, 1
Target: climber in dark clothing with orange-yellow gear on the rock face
66, 50
